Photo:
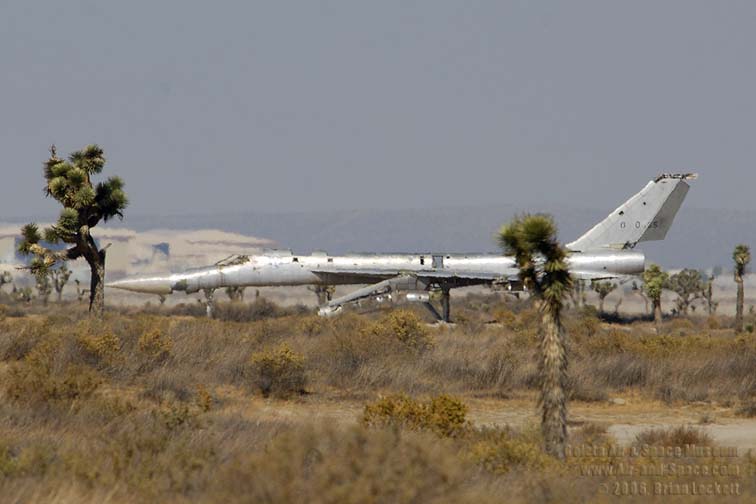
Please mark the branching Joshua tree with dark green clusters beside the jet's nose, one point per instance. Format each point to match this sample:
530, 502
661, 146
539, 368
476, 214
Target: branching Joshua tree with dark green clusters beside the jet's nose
84, 206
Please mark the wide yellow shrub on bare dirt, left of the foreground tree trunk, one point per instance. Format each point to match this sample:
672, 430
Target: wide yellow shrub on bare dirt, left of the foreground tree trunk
444, 415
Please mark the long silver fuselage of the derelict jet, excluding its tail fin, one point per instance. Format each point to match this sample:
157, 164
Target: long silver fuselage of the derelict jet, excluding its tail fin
284, 269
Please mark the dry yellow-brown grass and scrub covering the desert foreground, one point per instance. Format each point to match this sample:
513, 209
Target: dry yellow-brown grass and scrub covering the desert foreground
154, 406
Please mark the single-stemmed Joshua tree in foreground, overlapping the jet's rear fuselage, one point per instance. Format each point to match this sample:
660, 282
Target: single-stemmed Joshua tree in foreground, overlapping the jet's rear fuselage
531, 239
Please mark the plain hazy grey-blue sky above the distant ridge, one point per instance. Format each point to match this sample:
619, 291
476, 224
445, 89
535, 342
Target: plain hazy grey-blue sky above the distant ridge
278, 105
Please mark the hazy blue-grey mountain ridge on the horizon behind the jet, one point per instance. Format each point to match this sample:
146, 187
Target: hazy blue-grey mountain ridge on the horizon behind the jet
699, 238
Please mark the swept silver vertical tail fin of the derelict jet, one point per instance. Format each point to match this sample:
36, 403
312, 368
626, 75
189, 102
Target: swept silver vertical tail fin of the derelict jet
647, 216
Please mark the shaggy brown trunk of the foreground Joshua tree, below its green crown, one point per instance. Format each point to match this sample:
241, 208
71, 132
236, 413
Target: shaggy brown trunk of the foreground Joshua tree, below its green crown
553, 368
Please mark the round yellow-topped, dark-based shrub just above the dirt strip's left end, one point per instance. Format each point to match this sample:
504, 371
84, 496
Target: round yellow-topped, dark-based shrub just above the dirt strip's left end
279, 371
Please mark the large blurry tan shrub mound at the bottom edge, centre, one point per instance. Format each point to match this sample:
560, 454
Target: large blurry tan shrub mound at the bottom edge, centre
328, 465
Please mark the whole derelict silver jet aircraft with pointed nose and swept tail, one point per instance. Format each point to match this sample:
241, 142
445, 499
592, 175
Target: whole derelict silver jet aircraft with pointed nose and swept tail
606, 251
